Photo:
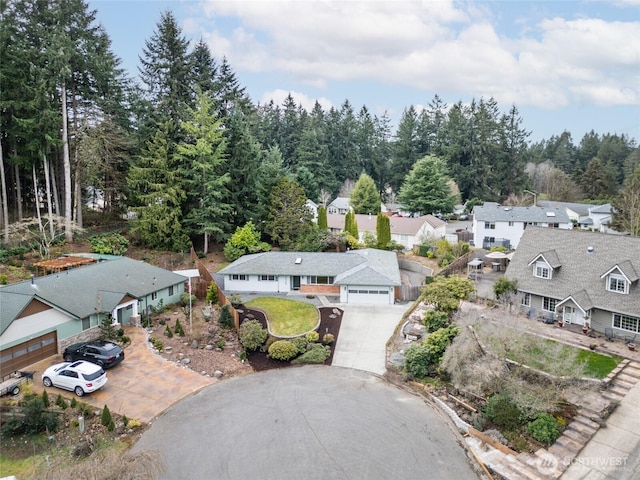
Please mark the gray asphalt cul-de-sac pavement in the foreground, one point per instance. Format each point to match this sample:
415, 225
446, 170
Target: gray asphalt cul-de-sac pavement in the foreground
312, 422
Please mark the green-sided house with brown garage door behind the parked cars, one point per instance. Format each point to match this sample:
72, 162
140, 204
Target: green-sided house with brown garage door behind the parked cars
41, 316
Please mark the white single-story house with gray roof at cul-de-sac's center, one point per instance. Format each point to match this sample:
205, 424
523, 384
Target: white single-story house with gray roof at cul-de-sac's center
357, 276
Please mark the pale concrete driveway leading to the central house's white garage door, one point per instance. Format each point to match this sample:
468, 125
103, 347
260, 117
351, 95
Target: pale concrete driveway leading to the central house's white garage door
364, 333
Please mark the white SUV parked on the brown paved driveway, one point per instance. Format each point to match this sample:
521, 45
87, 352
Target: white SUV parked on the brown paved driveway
79, 377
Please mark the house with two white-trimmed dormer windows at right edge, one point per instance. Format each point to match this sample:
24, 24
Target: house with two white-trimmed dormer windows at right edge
585, 278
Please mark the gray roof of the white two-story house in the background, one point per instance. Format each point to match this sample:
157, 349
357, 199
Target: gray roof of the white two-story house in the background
494, 212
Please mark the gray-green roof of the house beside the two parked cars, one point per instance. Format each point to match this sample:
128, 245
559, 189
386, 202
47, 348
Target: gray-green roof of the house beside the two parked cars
85, 290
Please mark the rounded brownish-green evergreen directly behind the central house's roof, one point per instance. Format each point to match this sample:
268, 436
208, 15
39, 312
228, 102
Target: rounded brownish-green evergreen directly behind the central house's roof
289, 217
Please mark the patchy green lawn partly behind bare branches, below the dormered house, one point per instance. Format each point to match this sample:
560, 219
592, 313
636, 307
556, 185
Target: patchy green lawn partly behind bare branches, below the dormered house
596, 364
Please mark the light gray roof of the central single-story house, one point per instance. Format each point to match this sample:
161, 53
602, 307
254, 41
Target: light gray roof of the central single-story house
356, 267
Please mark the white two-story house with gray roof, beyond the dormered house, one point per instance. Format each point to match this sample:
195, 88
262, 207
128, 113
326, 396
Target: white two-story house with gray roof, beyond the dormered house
497, 225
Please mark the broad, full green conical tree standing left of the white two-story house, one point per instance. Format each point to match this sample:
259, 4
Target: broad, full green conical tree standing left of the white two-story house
426, 188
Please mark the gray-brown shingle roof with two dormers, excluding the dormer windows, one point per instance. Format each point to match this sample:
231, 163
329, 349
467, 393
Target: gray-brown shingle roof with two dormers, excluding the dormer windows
584, 258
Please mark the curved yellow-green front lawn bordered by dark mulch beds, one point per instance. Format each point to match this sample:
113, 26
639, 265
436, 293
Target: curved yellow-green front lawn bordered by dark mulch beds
287, 317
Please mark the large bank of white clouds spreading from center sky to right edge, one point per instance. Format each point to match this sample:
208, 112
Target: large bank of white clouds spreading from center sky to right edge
438, 46
